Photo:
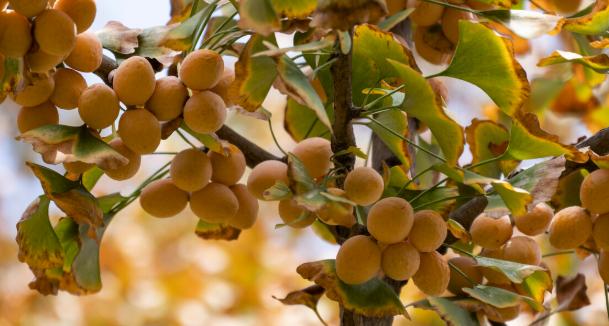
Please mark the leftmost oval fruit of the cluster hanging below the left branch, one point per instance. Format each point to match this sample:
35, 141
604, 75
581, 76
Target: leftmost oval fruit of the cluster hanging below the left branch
161, 198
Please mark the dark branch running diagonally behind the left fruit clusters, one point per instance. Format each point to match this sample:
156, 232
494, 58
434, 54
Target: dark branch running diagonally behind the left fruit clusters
253, 153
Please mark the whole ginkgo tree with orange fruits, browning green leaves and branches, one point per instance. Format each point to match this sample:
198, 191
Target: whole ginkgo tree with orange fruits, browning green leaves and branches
403, 210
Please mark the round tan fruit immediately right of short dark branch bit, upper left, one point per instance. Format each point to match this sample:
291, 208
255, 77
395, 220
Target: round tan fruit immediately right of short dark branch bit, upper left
134, 81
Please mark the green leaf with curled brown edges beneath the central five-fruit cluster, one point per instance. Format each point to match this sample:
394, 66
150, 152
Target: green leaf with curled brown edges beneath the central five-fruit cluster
374, 298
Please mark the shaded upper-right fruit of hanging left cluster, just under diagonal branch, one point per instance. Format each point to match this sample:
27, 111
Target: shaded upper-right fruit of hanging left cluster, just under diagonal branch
228, 168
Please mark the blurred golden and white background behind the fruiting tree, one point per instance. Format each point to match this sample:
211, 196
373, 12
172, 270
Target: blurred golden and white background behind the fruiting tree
158, 272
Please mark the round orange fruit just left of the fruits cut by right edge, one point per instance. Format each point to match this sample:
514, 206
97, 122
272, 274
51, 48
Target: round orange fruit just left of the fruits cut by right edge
570, 228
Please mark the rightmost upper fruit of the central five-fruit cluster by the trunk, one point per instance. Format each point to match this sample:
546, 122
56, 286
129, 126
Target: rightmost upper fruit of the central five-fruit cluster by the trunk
428, 231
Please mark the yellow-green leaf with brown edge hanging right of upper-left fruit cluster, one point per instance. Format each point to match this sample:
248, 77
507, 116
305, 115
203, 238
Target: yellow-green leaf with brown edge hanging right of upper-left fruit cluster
253, 76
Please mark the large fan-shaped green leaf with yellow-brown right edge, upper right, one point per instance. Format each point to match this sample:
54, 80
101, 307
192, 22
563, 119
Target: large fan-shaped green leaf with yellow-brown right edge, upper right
486, 60
